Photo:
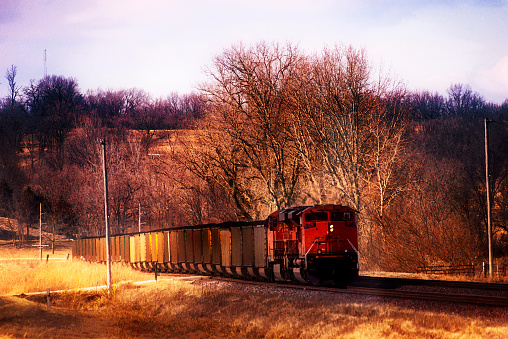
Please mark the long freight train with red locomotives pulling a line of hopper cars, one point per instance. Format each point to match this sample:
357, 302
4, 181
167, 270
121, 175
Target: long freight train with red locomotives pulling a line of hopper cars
301, 244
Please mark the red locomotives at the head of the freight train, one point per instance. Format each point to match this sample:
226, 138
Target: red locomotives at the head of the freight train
313, 243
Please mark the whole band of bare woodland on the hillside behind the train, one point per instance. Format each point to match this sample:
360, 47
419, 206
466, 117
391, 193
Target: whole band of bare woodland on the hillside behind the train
270, 127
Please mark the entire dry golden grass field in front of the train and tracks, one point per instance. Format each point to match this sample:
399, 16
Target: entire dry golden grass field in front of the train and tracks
202, 309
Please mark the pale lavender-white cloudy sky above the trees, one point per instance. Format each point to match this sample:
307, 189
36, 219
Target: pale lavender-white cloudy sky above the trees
163, 47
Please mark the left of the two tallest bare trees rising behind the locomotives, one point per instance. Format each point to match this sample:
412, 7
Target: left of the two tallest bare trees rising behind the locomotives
249, 93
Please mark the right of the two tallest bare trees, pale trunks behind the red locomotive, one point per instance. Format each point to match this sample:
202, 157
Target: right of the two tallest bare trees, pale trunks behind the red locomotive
352, 122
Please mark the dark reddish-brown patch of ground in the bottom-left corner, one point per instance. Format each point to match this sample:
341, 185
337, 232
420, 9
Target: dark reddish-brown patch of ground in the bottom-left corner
21, 318
